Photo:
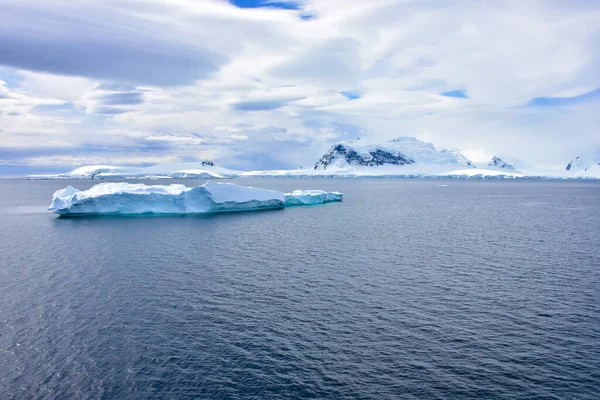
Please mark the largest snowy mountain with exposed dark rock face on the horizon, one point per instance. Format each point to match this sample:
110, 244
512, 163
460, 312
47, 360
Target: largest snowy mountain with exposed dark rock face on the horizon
402, 151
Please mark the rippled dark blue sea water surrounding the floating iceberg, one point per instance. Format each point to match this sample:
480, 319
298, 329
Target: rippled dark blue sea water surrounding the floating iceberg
407, 289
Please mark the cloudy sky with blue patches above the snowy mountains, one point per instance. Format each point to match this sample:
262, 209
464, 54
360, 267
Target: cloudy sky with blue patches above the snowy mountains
261, 85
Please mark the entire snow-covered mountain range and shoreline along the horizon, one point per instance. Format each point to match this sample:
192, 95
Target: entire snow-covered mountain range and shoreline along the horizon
403, 157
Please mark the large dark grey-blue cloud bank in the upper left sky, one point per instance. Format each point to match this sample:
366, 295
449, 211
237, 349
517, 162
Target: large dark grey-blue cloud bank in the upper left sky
86, 40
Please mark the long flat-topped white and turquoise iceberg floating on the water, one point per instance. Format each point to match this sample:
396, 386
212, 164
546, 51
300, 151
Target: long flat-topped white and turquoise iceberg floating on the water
126, 198
